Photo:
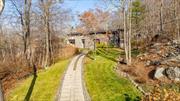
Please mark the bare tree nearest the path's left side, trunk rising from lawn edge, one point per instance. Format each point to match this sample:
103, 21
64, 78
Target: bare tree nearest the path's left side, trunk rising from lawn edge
50, 17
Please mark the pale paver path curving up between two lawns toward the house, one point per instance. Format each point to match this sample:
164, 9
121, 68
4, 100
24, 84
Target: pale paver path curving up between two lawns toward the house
72, 86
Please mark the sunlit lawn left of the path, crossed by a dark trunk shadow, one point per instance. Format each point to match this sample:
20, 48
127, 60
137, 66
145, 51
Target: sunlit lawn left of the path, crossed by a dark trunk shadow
41, 88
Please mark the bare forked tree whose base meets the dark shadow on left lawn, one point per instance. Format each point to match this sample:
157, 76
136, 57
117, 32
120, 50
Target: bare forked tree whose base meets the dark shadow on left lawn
25, 24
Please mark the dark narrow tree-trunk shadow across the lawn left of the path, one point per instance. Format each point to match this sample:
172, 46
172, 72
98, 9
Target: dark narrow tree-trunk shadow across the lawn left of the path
30, 90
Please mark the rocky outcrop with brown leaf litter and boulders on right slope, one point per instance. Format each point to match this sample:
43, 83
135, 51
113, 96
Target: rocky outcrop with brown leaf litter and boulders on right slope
165, 58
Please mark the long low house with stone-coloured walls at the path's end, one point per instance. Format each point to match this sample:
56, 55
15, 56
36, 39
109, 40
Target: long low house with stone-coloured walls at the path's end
87, 40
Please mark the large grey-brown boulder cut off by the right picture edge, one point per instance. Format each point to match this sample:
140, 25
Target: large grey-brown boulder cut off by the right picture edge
173, 73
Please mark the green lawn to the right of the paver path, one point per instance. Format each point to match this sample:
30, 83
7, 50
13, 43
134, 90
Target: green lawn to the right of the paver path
102, 82
